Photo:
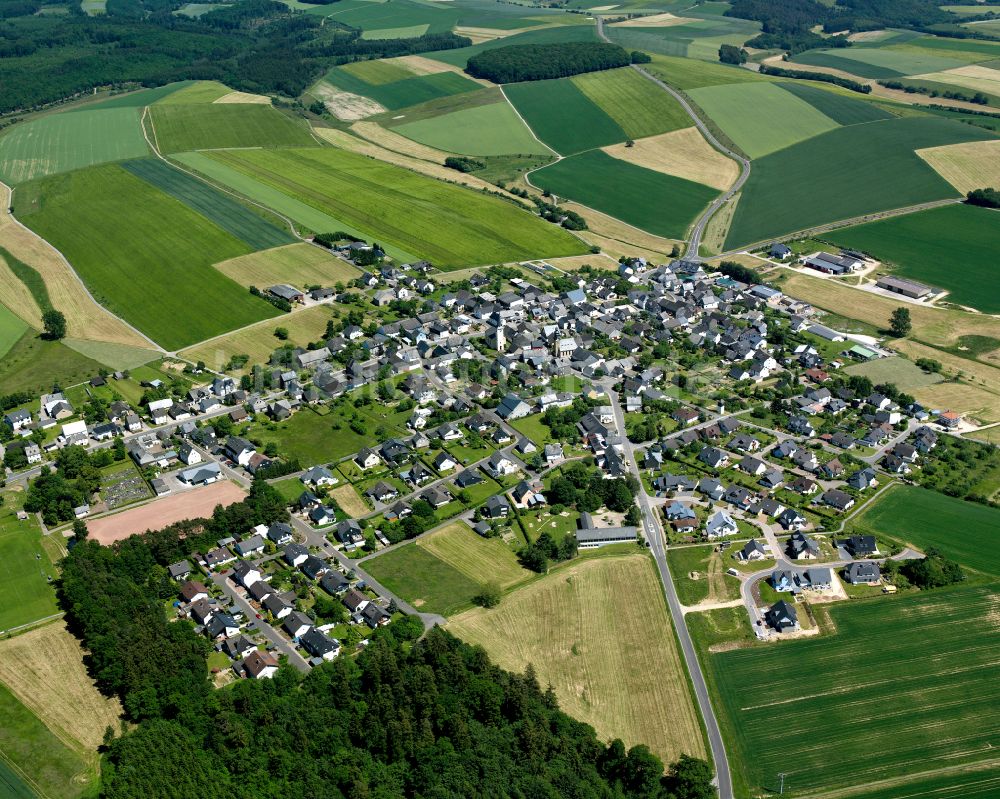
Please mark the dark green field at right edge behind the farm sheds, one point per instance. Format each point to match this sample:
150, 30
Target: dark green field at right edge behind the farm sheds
953, 247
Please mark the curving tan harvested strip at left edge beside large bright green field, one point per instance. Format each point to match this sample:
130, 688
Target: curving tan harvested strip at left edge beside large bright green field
85, 319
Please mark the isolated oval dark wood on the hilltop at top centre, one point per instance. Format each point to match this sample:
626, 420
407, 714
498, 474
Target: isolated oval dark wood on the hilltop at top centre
520, 62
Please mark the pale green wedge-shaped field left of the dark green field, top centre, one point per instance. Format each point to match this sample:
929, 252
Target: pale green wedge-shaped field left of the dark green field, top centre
493, 129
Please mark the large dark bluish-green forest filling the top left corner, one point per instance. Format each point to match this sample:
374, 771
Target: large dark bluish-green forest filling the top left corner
256, 46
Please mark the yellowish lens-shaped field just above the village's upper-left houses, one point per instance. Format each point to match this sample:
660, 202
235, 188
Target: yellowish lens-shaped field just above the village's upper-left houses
299, 264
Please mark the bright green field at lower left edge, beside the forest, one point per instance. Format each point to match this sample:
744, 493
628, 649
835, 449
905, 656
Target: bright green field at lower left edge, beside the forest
27, 594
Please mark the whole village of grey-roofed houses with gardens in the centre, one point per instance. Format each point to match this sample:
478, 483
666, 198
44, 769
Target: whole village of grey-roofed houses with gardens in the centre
725, 403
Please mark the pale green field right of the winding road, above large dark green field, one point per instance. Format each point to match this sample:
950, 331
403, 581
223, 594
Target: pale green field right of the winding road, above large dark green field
761, 118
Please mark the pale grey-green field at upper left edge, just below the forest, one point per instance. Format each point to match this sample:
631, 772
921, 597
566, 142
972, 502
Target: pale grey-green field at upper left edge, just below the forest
61, 142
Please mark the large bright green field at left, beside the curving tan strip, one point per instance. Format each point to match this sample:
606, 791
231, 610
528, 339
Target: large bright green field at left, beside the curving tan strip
142, 253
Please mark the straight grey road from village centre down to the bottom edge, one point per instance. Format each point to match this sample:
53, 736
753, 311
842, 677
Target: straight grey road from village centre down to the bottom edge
654, 535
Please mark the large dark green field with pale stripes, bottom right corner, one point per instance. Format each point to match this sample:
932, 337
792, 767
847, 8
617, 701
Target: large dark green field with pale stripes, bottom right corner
903, 687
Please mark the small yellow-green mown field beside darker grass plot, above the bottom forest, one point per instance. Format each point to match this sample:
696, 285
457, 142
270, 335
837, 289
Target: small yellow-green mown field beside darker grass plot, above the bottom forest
482, 560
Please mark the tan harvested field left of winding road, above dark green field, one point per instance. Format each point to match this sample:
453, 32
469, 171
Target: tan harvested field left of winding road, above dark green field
682, 153
